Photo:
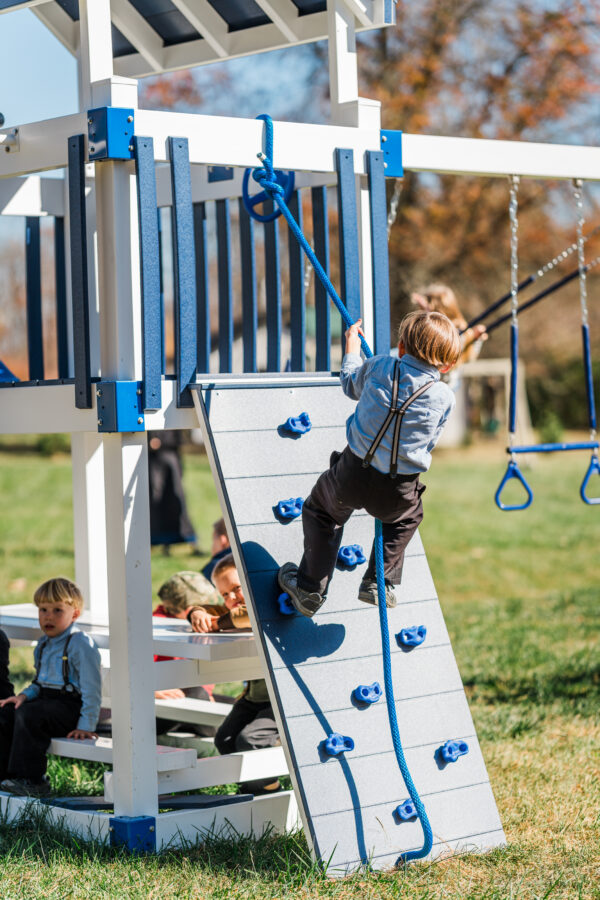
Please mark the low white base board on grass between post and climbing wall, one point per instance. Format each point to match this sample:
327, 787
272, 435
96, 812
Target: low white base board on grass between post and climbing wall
182, 828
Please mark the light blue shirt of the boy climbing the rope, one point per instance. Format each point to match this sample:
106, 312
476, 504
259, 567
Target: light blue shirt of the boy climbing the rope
370, 382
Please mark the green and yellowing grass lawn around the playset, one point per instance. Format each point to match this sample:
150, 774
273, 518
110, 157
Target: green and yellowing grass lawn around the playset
521, 594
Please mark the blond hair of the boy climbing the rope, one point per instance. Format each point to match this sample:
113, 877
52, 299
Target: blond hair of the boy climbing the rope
431, 337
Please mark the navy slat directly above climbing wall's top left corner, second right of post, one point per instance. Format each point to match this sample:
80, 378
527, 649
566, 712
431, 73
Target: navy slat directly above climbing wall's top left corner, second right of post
184, 268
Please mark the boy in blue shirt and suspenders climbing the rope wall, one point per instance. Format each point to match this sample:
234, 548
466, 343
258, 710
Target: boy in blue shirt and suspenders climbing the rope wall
402, 408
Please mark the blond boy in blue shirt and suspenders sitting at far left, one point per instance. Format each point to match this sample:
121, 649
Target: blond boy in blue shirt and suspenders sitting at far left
63, 699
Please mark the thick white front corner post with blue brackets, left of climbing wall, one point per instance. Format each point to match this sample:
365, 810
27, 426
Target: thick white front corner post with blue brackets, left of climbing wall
127, 520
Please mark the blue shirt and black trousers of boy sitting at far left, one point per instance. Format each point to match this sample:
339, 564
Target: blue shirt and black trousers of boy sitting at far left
65, 695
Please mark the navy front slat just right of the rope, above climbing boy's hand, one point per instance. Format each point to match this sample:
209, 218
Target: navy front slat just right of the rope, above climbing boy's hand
348, 228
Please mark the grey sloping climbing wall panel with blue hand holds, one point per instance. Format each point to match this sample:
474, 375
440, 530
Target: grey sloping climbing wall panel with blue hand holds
348, 802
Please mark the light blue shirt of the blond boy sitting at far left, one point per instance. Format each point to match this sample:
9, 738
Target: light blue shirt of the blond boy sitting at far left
84, 672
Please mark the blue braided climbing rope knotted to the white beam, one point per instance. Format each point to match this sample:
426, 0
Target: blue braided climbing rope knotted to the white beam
265, 176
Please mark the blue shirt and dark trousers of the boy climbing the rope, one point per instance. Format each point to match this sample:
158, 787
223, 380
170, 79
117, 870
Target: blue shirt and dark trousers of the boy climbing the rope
379, 384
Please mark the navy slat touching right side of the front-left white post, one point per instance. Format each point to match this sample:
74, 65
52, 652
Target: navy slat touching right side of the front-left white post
150, 272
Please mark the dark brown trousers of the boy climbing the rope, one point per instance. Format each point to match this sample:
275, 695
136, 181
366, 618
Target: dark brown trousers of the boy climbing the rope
343, 488
